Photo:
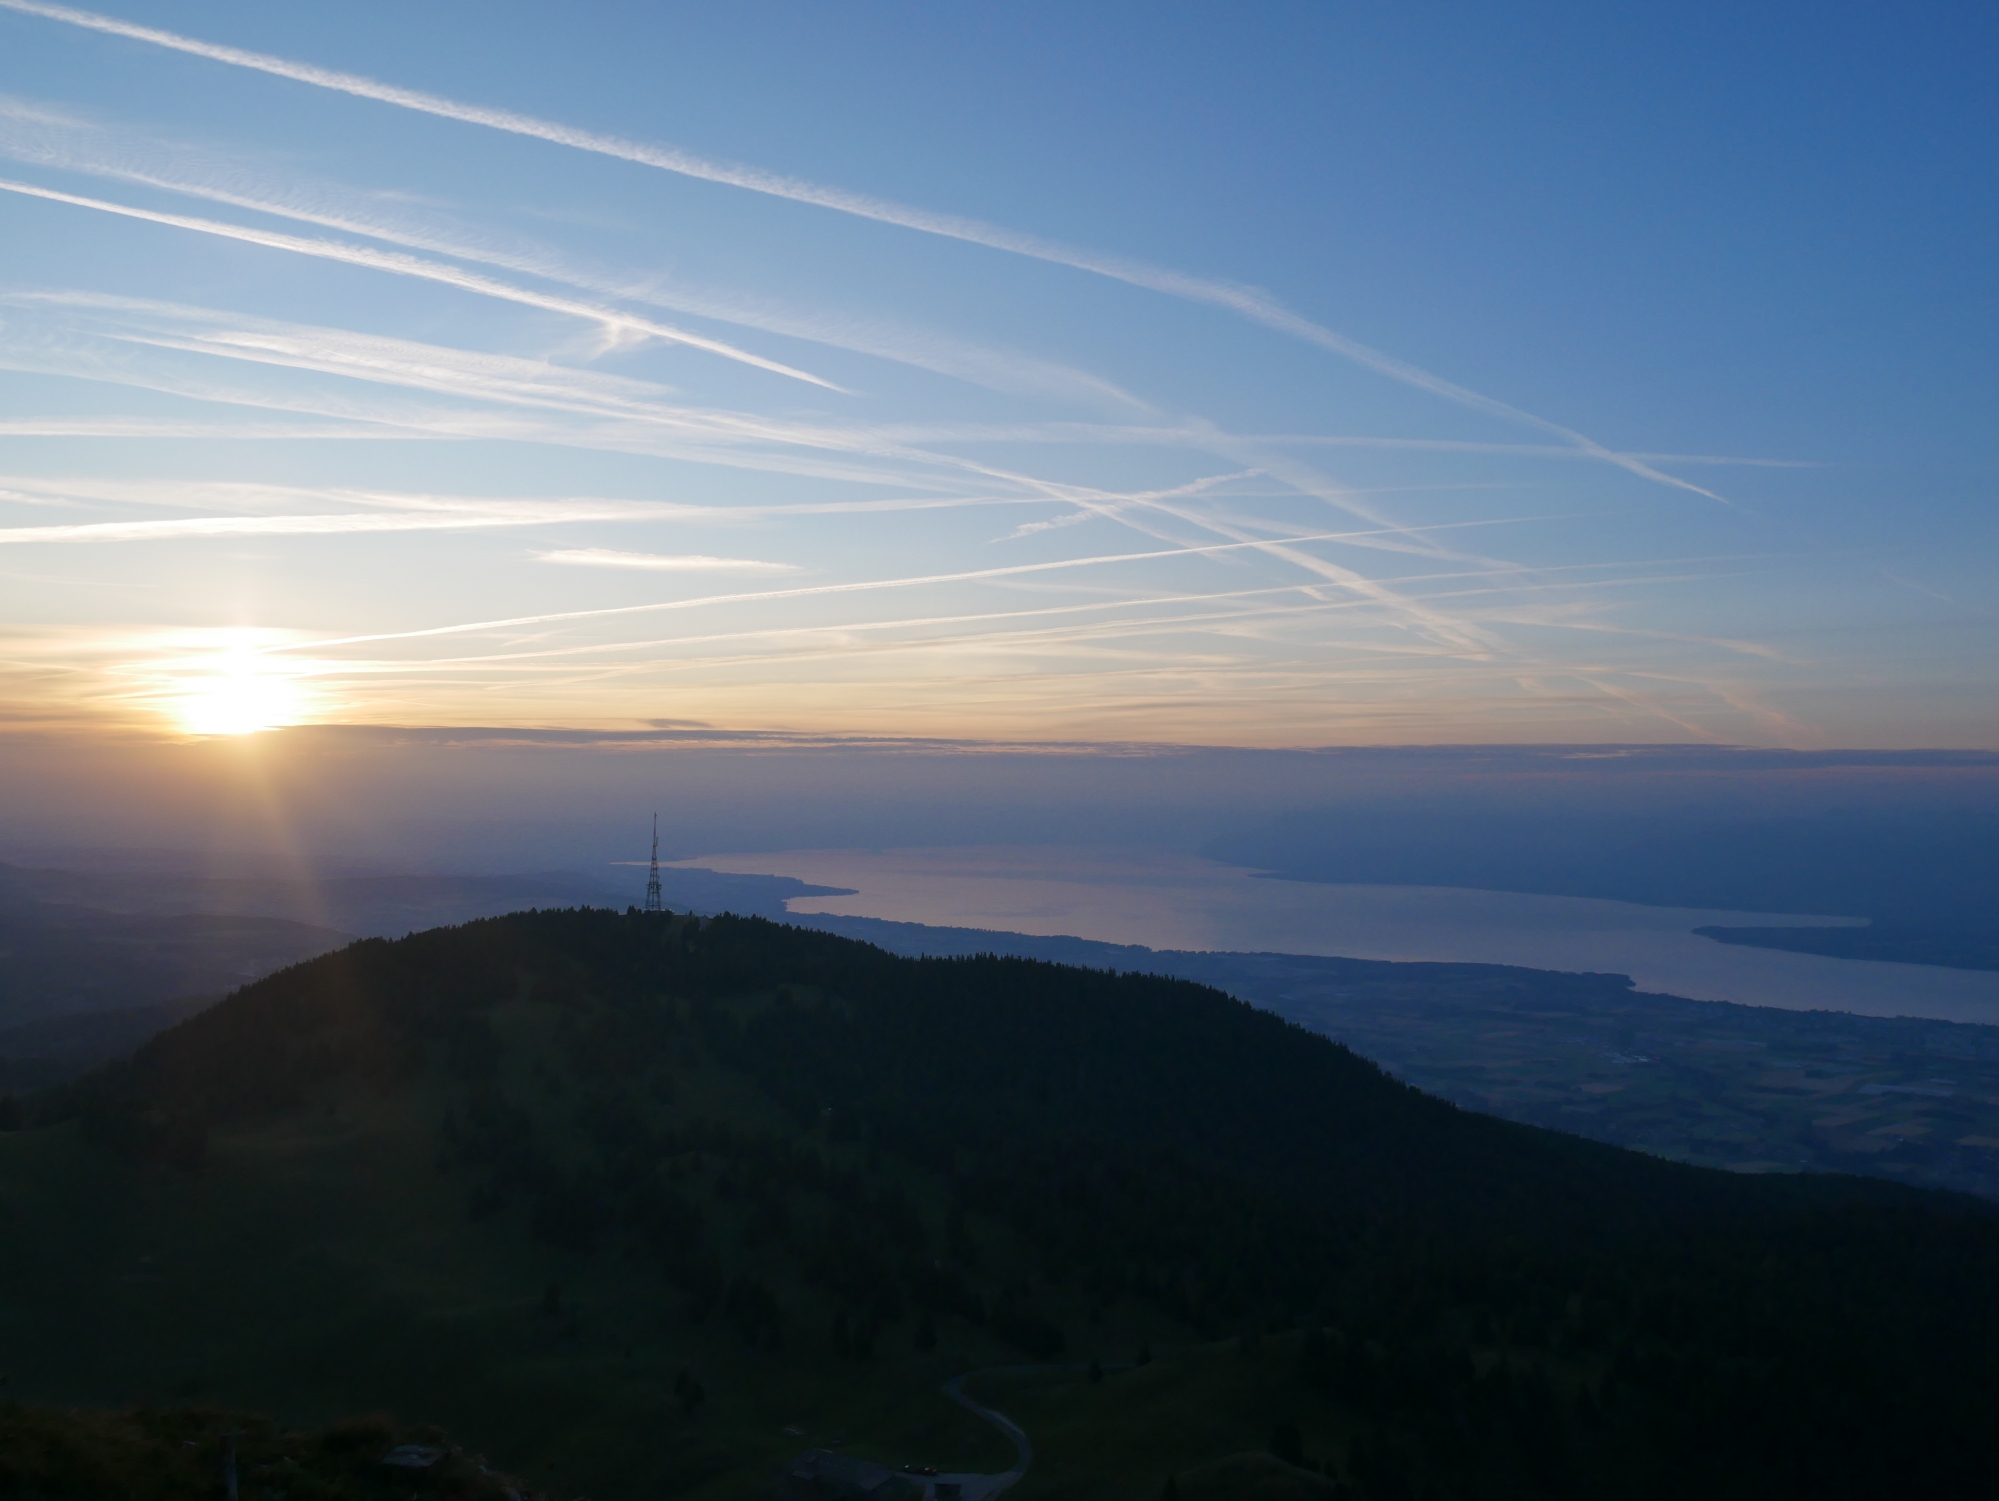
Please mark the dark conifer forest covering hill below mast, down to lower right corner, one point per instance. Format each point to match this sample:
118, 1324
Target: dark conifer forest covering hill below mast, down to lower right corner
1488, 1308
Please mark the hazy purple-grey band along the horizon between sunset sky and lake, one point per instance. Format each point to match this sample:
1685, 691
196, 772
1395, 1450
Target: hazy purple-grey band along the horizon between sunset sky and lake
539, 798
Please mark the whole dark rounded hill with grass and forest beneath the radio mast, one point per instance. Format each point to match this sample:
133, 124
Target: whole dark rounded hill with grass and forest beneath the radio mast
645, 1204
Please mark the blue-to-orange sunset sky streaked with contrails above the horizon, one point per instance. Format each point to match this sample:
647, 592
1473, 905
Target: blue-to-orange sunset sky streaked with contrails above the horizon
1018, 375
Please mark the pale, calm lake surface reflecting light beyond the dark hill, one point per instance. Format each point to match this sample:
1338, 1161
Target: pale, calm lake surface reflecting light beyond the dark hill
1180, 902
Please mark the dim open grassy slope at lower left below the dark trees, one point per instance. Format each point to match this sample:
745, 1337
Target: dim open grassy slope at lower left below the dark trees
323, 1264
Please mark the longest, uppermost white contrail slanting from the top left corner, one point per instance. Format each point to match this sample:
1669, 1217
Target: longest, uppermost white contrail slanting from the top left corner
1242, 301
